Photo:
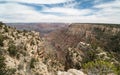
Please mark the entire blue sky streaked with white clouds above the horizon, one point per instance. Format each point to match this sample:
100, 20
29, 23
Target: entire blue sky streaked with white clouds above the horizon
62, 11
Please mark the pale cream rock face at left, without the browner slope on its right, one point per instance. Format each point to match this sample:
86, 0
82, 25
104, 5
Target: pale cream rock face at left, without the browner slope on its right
22, 51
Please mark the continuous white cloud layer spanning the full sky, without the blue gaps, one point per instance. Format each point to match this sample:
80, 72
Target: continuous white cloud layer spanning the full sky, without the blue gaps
13, 12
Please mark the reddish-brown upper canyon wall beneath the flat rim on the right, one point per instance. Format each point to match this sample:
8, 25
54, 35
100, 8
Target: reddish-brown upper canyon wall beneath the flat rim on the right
75, 33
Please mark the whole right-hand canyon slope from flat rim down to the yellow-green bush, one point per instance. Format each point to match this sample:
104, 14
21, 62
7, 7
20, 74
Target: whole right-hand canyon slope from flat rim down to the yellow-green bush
88, 43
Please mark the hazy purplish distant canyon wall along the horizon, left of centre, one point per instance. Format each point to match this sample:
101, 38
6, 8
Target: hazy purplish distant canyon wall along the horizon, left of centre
43, 28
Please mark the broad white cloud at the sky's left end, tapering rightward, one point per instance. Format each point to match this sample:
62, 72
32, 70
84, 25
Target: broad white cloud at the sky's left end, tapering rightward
20, 13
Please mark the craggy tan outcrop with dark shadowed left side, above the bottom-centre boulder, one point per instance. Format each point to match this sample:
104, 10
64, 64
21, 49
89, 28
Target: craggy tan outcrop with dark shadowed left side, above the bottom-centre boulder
73, 59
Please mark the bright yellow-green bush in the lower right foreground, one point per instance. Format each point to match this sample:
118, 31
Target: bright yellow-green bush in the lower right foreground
99, 67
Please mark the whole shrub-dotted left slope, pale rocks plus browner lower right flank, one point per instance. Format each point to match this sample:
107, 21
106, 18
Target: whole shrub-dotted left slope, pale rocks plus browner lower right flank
25, 53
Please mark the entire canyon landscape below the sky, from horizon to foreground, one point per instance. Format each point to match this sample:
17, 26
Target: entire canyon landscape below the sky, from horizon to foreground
59, 49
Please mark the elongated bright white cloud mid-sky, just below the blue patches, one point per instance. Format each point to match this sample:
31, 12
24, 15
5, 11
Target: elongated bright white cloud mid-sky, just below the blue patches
68, 11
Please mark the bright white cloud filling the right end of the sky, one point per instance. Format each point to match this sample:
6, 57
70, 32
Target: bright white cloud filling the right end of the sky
110, 11
